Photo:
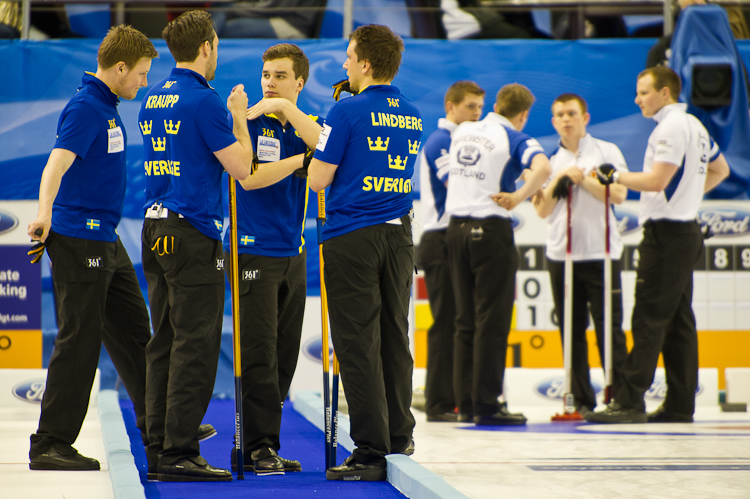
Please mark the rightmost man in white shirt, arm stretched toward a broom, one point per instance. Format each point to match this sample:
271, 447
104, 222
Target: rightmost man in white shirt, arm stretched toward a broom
682, 162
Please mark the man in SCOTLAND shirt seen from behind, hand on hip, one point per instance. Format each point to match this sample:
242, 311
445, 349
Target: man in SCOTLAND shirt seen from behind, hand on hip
485, 155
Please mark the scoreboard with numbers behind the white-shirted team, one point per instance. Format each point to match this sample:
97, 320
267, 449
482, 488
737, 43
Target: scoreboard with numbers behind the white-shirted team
721, 290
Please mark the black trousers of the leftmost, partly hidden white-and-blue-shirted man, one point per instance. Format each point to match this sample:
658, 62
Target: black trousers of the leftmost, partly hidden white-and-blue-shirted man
433, 255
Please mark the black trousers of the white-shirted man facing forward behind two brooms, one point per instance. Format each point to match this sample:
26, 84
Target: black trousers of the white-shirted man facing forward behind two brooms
588, 291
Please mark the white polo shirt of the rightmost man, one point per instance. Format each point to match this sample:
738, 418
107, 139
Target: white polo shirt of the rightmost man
680, 139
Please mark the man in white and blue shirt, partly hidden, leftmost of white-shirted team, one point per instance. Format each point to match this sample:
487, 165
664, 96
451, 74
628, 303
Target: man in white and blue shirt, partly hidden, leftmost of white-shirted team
463, 102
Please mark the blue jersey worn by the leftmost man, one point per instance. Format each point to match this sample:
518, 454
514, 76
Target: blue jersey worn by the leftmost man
92, 192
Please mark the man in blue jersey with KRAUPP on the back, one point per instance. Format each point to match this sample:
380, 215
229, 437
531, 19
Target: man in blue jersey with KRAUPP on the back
188, 143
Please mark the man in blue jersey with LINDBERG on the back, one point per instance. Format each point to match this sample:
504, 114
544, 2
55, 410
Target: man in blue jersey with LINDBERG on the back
366, 153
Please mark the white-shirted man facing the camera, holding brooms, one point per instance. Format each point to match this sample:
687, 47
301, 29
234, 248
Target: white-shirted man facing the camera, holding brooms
576, 161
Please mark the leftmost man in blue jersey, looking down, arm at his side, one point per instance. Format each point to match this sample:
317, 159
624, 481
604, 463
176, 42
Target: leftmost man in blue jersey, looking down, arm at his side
81, 200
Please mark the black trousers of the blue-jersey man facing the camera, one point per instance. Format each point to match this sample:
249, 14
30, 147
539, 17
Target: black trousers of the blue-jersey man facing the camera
272, 298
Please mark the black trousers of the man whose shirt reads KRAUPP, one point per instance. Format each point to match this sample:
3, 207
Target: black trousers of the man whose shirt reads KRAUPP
185, 274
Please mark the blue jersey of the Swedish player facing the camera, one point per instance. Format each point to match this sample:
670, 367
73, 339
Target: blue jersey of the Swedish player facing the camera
271, 220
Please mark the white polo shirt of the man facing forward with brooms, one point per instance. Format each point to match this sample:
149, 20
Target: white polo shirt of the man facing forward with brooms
588, 225
